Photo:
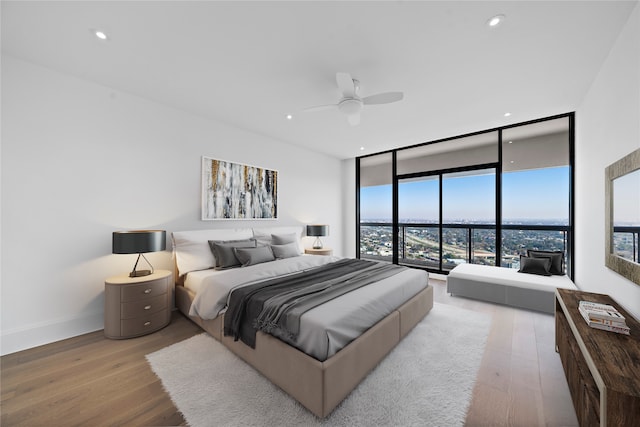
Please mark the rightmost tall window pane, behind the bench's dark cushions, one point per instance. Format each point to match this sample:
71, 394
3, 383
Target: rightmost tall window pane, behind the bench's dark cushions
536, 176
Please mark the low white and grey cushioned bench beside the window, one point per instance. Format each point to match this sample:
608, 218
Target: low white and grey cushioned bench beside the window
506, 286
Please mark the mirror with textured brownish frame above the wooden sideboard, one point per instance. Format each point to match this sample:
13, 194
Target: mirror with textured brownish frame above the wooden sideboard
622, 216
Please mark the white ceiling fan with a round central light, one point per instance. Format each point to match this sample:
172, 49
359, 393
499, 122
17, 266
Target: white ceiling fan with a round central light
351, 103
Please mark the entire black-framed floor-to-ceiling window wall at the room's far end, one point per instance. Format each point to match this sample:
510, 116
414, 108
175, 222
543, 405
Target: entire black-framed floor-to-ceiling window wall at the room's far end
483, 198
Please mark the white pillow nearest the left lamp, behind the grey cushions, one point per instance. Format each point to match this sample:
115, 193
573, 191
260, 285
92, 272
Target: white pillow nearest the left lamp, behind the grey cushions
192, 251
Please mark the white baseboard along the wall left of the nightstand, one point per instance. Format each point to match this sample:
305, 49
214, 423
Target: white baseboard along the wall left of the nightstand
42, 333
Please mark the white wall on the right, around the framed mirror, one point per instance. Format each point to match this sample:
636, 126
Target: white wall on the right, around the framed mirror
607, 128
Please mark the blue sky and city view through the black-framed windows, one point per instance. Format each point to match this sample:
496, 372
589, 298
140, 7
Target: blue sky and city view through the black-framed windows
466, 233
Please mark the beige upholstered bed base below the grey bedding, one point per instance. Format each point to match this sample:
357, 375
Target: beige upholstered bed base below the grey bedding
318, 386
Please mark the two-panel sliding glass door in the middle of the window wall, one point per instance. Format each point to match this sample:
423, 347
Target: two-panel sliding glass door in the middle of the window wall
447, 219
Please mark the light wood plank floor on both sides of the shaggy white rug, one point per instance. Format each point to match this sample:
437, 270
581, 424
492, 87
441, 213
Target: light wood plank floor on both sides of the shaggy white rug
92, 381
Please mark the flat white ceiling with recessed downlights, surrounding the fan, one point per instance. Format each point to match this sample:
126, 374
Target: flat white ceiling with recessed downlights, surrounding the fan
250, 64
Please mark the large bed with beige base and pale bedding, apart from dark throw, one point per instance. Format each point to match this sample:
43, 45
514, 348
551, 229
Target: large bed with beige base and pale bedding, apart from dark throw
353, 340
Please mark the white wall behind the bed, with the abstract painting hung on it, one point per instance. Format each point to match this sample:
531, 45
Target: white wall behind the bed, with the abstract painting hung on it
80, 161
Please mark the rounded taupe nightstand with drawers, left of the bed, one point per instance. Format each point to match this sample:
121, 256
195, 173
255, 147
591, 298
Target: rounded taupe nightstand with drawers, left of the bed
135, 306
